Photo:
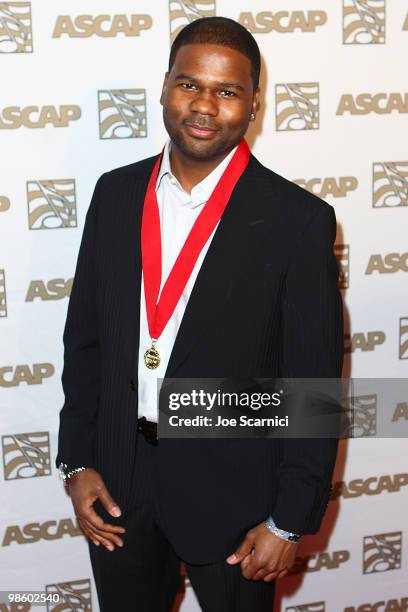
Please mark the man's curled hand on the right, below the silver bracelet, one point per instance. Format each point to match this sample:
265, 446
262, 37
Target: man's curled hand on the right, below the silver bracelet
263, 555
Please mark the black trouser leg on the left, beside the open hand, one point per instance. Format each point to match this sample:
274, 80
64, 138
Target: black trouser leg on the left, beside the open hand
144, 575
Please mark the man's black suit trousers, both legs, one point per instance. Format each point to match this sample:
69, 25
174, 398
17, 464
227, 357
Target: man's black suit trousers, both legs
145, 573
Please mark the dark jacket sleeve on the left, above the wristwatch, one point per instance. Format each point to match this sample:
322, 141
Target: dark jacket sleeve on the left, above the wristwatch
81, 371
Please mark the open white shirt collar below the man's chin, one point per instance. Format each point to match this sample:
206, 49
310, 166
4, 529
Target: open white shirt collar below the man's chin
200, 192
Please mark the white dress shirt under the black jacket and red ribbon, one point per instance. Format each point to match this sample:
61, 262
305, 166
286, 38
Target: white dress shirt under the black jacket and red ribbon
178, 210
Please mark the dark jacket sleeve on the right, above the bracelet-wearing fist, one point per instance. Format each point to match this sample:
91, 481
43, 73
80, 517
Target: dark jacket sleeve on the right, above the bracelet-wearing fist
312, 347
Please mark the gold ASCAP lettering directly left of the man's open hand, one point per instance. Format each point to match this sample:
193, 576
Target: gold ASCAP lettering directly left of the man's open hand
34, 532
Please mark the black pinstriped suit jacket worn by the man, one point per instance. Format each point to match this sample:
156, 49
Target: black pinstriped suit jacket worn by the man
265, 304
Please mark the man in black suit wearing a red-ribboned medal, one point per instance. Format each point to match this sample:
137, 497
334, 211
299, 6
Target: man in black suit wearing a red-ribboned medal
252, 293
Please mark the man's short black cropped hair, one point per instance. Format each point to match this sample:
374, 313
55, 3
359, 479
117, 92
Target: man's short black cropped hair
220, 31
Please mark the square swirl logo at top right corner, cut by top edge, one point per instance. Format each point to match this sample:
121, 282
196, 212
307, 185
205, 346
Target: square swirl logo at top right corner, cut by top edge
363, 22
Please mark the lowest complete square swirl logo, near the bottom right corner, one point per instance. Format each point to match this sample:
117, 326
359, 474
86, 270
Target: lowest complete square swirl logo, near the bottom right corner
382, 552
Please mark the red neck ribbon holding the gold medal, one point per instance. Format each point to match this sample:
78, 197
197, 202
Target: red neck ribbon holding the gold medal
159, 312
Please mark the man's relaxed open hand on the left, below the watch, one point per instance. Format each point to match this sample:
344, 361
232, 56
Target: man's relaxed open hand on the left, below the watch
85, 488
